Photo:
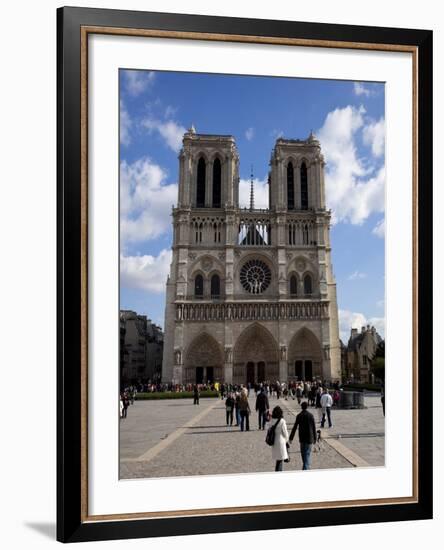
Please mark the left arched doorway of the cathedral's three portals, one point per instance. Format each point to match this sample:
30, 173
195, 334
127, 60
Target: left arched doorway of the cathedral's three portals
203, 361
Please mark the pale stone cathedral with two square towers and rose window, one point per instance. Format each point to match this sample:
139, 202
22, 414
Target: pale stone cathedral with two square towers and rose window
251, 295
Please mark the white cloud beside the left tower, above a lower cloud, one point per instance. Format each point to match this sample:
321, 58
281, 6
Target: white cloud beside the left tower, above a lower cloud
145, 201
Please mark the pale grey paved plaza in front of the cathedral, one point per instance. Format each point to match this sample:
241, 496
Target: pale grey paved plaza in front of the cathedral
164, 438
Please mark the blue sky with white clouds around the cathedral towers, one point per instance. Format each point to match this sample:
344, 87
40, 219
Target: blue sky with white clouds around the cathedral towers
347, 117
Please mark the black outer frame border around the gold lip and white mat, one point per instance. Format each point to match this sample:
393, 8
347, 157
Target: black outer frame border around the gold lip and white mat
71, 523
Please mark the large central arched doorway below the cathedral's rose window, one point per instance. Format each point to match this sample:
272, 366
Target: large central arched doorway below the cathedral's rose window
255, 357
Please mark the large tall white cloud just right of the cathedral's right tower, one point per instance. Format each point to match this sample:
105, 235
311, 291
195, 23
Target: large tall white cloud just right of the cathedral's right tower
351, 193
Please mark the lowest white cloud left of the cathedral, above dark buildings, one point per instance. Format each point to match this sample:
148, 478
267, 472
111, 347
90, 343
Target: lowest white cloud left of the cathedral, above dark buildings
146, 272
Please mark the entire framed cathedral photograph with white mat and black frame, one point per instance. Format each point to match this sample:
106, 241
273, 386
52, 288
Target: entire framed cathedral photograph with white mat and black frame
244, 274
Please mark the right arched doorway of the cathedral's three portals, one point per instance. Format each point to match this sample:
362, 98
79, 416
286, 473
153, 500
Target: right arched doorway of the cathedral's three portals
304, 356
